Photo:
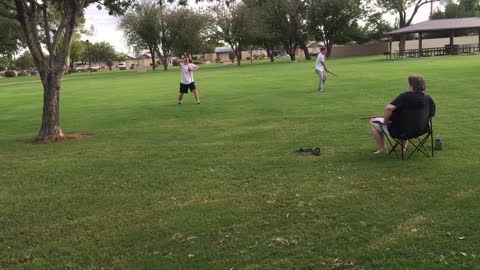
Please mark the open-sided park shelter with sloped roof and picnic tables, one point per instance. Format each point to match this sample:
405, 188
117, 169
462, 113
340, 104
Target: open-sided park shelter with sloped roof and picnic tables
433, 26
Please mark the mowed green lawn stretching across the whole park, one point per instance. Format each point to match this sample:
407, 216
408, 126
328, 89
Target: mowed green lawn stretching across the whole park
218, 185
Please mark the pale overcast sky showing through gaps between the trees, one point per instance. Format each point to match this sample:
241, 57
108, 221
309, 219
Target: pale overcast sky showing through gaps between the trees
105, 26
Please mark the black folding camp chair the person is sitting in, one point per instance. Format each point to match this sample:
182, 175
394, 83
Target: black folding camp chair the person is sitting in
414, 124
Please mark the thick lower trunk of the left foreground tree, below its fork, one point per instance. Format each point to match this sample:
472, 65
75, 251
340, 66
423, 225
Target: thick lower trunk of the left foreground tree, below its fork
50, 129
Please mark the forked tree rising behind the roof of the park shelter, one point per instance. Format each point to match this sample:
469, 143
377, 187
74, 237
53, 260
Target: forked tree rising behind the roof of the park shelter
400, 7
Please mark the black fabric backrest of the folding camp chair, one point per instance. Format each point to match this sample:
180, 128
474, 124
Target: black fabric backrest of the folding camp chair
414, 119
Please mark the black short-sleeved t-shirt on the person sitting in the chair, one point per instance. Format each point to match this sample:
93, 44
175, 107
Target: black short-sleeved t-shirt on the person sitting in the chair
409, 98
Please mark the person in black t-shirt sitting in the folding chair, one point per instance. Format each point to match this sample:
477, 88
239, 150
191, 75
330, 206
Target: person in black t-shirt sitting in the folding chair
415, 95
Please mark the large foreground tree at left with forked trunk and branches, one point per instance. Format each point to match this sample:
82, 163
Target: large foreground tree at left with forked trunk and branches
50, 25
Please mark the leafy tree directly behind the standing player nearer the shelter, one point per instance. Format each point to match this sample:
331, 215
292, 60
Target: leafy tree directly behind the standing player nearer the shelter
332, 21
